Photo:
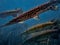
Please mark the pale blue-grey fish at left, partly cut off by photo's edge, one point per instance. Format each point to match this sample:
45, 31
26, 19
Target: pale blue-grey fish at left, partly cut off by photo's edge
10, 13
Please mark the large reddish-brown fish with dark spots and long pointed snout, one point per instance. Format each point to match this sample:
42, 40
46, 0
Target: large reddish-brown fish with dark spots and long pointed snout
33, 12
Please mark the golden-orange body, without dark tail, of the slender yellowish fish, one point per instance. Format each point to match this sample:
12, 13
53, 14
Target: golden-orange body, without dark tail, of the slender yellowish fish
38, 26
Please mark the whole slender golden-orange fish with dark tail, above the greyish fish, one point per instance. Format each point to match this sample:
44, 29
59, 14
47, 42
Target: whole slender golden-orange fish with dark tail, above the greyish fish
52, 23
